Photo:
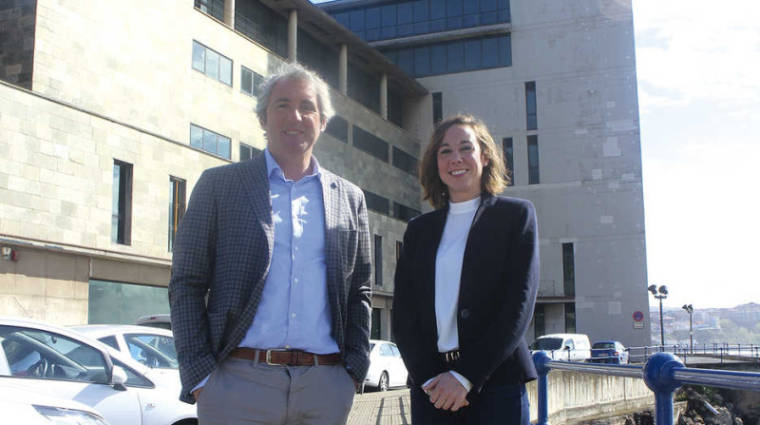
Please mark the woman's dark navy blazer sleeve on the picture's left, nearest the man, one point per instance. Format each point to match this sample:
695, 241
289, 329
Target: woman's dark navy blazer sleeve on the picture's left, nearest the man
419, 354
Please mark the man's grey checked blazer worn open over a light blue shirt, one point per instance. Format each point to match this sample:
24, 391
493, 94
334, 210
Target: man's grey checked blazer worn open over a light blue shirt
223, 248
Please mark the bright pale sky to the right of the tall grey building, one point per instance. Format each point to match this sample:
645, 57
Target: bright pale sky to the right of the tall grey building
698, 68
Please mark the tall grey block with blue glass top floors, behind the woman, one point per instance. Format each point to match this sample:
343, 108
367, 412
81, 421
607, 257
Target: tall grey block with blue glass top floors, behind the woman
556, 84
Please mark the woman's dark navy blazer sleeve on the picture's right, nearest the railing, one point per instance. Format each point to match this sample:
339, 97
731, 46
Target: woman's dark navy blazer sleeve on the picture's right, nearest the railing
507, 330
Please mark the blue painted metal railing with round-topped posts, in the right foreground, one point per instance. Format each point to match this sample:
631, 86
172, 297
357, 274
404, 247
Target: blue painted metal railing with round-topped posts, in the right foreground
663, 373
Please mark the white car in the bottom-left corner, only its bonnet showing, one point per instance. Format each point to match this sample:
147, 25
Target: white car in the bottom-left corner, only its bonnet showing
22, 406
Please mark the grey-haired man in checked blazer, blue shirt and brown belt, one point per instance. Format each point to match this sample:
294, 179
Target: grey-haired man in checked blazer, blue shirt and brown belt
270, 291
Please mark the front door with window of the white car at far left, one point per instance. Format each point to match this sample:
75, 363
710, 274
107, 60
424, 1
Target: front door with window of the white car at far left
53, 364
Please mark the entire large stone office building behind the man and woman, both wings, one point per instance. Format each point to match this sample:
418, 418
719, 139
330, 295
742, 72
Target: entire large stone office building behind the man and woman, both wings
110, 111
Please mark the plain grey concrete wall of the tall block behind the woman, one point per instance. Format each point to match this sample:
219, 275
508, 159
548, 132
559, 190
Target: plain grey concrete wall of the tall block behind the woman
581, 56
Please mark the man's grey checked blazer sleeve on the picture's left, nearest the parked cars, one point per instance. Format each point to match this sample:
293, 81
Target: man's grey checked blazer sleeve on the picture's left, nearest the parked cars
192, 268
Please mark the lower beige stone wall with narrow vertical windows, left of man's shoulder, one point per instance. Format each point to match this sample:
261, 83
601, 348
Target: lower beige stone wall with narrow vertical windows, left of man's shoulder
56, 178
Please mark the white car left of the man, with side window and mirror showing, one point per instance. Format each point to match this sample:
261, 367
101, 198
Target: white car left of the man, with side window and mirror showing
54, 361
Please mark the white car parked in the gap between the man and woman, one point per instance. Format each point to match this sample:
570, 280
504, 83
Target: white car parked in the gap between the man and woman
386, 369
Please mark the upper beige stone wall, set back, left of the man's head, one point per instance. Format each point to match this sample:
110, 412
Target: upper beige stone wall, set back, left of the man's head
132, 61
